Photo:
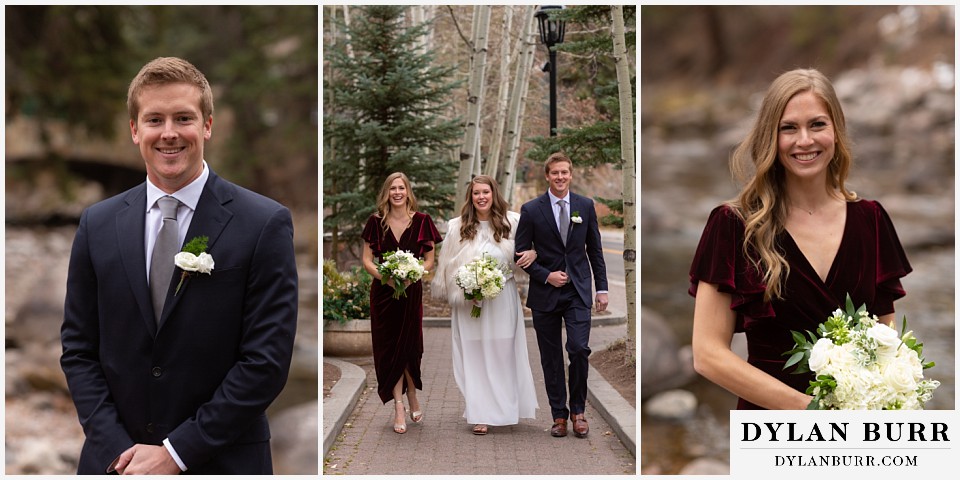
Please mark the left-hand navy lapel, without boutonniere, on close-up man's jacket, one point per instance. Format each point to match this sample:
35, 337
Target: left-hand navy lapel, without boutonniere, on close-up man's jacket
131, 222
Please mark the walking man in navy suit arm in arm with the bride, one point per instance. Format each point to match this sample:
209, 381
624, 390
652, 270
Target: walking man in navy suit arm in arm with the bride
562, 227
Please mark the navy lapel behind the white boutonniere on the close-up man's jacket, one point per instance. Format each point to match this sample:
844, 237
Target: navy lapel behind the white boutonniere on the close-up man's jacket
209, 220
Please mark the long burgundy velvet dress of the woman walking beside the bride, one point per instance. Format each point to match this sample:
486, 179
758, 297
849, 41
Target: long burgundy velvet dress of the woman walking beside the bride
397, 325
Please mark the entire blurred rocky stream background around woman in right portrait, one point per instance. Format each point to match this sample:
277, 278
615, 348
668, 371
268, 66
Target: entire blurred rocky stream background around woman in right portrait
704, 70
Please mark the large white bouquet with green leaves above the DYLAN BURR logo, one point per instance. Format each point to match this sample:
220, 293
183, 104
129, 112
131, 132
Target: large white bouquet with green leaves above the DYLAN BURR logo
862, 364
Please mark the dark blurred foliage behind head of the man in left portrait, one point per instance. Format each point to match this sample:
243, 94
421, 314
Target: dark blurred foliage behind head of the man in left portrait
73, 64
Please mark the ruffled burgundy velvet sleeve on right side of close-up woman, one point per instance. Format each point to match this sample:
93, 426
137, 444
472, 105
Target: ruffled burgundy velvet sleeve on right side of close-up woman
892, 264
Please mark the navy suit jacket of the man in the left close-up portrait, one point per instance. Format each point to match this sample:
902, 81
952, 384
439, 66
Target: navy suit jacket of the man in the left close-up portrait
204, 377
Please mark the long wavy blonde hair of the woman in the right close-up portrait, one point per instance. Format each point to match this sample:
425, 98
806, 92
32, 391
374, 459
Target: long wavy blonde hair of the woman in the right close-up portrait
762, 202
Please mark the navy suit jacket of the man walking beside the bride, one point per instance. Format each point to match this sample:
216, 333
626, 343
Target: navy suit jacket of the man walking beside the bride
582, 254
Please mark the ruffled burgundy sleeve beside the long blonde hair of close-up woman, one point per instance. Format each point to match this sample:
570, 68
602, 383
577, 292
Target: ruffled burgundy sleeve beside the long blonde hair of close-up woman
720, 260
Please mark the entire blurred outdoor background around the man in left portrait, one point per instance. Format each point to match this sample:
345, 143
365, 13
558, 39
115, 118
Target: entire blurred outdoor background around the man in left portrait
68, 146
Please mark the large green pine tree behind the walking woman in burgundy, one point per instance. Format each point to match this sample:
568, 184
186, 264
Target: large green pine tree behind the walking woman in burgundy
386, 110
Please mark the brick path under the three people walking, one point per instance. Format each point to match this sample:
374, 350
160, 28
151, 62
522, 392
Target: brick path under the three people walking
444, 444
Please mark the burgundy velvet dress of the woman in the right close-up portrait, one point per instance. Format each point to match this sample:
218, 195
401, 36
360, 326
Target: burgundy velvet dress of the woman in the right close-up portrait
868, 266
